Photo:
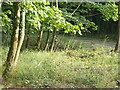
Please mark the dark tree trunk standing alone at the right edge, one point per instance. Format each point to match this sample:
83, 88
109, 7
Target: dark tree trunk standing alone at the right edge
117, 47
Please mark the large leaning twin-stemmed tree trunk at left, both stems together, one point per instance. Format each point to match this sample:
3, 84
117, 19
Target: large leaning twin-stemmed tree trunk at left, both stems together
16, 40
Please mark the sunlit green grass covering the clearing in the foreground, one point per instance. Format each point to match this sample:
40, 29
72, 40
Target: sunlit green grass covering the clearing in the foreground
79, 65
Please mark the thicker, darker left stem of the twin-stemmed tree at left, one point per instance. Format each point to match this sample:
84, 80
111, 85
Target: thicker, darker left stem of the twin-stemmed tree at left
14, 42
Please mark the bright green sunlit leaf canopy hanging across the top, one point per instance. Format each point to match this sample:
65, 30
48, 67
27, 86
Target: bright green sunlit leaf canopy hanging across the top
42, 14
